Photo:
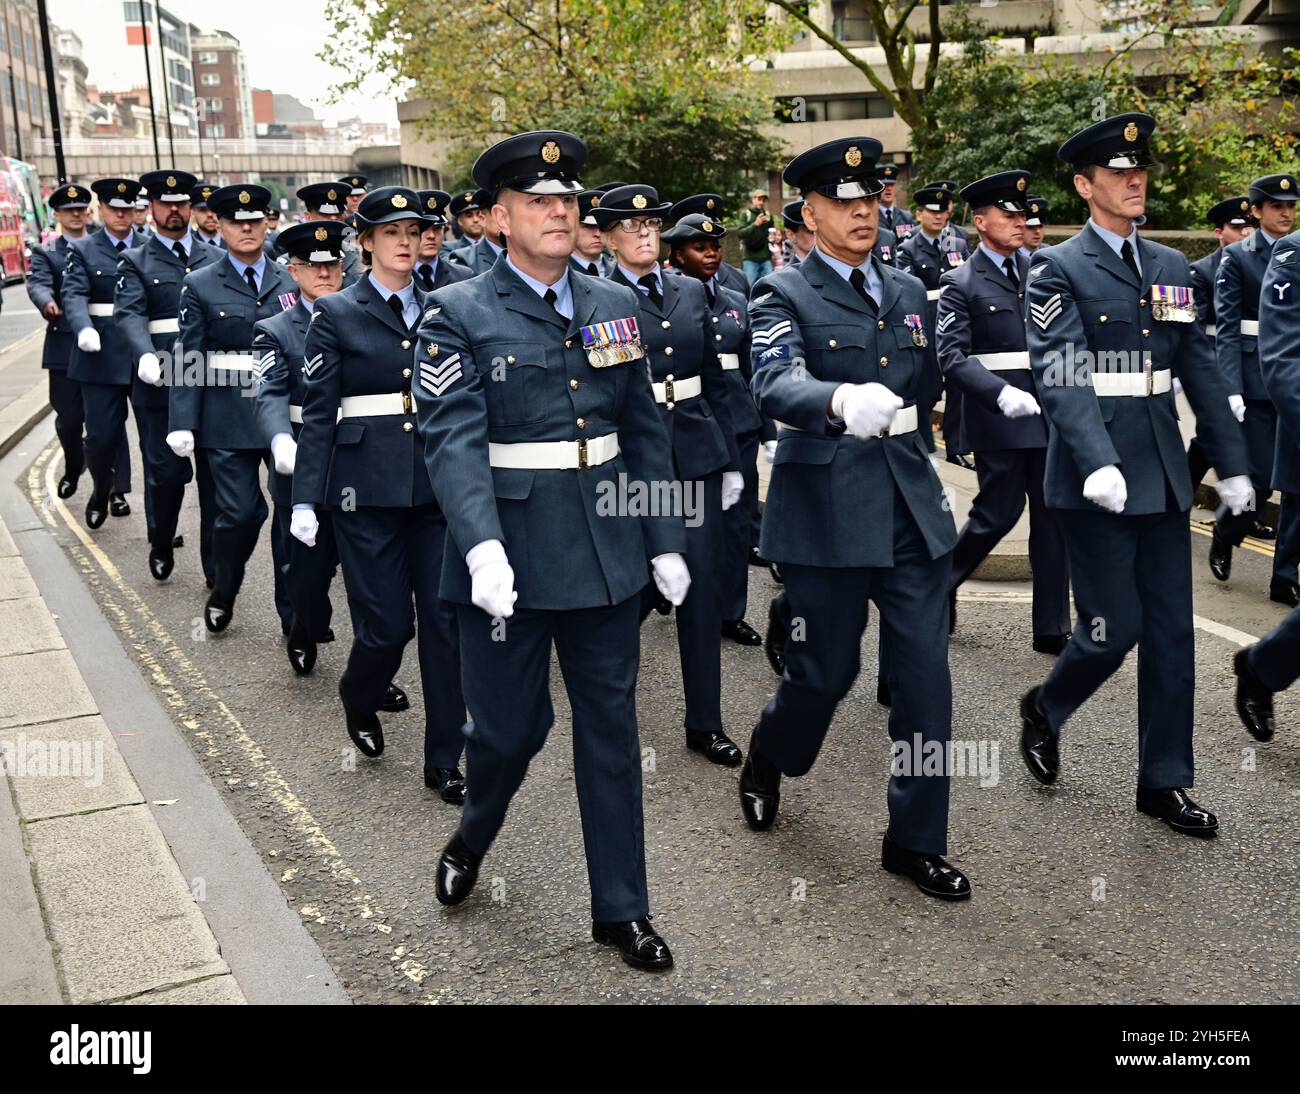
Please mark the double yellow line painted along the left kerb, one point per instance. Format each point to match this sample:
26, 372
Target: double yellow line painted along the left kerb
150, 636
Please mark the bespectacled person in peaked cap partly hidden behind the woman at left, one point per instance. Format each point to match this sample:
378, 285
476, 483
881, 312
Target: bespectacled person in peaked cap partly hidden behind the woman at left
317, 266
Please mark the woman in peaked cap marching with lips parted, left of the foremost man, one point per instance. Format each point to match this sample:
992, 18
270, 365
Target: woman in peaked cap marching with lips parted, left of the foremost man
359, 458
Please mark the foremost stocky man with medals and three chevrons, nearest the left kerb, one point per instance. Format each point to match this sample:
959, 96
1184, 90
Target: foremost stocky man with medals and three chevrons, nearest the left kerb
536, 411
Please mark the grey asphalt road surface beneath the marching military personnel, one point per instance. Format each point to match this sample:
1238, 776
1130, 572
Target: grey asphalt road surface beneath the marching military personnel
1078, 898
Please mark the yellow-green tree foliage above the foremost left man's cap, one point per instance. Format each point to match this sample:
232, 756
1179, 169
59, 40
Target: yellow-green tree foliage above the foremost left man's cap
661, 93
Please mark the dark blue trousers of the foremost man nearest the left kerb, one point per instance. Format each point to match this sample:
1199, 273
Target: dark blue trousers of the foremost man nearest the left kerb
509, 696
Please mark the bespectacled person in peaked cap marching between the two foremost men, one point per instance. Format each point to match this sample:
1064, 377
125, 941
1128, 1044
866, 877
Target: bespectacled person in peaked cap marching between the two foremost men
692, 392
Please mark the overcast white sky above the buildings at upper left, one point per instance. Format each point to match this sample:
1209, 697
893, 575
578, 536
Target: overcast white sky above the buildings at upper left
280, 42
